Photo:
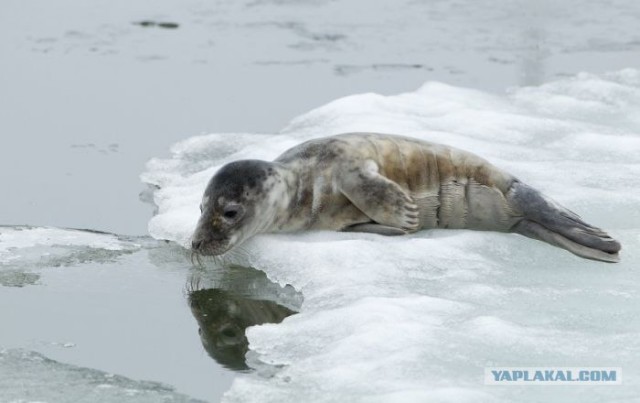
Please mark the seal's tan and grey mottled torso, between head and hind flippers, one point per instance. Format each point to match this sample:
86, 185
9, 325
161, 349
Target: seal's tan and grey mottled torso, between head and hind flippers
392, 177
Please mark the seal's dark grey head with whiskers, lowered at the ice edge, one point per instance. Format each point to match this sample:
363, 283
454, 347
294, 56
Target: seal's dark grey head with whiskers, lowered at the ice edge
236, 205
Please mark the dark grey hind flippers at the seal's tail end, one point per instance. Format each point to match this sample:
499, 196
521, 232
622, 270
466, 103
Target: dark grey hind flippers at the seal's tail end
547, 221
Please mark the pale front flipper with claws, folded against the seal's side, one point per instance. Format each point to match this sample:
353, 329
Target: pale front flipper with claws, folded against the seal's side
381, 199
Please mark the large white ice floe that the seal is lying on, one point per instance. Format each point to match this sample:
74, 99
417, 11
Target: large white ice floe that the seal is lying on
417, 318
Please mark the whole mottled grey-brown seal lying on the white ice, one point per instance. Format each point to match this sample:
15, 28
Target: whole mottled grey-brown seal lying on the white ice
383, 184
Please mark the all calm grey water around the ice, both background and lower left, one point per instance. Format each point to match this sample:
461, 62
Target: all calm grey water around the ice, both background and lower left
89, 92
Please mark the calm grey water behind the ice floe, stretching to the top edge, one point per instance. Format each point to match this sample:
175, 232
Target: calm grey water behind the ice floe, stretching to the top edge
88, 96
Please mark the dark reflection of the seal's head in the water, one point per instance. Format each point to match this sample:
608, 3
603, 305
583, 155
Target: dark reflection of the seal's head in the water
225, 311
